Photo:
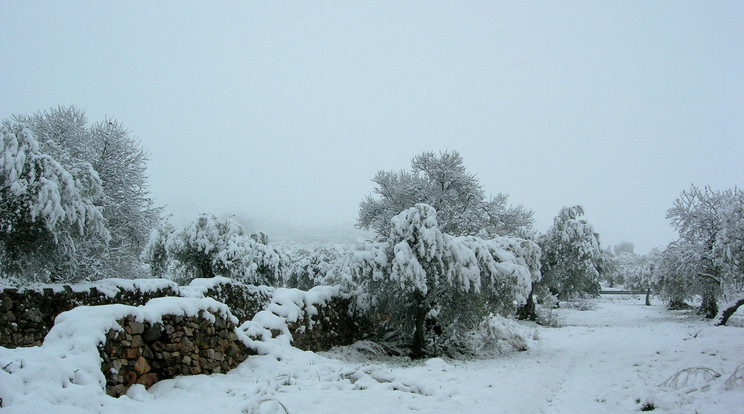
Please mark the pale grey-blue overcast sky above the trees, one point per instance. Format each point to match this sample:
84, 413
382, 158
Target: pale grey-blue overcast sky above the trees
285, 110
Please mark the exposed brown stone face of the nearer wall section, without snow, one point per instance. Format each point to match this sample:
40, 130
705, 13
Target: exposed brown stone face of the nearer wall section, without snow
144, 353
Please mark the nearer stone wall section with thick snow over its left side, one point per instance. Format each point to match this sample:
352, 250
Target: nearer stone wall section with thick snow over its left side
111, 347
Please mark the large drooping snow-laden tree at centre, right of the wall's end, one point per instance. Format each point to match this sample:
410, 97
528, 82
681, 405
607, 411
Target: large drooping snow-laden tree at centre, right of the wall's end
420, 273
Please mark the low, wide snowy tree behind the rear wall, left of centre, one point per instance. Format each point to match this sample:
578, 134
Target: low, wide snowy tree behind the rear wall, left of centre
209, 246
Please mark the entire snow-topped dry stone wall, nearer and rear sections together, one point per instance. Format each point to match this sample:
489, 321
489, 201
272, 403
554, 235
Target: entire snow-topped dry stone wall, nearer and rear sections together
210, 326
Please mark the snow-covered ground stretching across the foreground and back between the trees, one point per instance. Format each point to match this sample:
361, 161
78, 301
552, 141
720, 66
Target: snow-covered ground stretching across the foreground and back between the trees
615, 358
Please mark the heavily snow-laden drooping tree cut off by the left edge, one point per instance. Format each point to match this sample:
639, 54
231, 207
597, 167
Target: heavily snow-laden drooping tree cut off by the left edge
47, 211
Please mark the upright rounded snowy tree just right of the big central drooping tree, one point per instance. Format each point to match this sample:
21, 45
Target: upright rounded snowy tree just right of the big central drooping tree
571, 255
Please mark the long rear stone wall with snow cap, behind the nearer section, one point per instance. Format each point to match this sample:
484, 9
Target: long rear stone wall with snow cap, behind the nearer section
313, 320
